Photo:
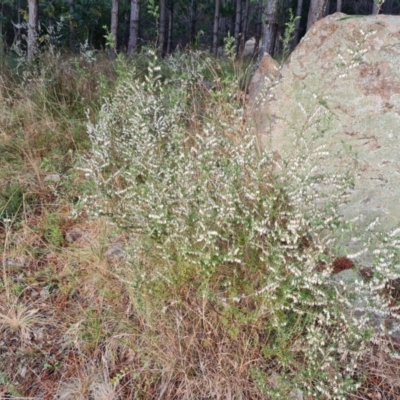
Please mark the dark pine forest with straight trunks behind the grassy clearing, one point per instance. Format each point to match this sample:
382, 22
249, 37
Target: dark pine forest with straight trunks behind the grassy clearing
130, 25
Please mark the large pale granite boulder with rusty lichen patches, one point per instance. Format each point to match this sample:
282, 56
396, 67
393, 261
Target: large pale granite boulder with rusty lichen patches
340, 91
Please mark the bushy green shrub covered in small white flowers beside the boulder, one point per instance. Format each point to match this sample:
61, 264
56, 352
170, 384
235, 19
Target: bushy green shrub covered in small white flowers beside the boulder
236, 253
